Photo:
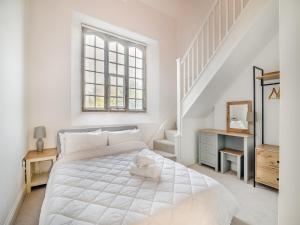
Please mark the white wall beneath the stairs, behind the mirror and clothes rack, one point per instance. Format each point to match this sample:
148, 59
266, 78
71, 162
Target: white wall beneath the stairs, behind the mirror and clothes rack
242, 89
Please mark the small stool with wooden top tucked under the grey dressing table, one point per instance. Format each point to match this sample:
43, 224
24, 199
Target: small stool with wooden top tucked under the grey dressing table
229, 156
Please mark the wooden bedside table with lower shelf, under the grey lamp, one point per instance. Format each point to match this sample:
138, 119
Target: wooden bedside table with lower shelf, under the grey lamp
33, 179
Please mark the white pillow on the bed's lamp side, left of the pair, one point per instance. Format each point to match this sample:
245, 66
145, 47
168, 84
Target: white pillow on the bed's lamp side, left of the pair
75, 142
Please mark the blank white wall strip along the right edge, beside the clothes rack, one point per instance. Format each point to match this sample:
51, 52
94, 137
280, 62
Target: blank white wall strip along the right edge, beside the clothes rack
289, 183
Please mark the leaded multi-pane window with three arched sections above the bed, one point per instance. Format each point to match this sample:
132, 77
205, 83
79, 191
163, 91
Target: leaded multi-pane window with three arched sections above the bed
113, 73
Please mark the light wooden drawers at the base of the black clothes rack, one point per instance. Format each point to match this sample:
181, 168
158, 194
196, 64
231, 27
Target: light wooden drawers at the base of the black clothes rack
267, 165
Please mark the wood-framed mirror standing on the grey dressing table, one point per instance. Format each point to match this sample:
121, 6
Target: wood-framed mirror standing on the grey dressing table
237, 116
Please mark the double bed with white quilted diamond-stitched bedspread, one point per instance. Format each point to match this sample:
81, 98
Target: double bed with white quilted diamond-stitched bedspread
95, 187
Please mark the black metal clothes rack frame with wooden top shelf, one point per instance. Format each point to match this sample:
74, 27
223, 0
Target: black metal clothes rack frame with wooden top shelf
266, 79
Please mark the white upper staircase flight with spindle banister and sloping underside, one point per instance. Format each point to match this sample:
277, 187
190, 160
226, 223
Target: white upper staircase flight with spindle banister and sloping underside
226, 42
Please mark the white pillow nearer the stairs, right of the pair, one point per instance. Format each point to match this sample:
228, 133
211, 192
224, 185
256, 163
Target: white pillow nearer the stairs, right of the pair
118, 137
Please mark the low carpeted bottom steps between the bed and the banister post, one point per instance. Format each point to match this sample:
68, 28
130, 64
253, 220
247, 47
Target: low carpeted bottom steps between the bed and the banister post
166, 146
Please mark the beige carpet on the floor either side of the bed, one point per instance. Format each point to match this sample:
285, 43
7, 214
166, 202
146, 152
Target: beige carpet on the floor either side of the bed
258, 206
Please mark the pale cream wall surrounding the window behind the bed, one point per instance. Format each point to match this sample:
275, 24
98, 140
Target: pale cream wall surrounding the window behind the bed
50, 62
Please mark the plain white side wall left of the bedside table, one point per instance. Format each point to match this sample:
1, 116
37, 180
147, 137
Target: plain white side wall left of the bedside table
12, 109
